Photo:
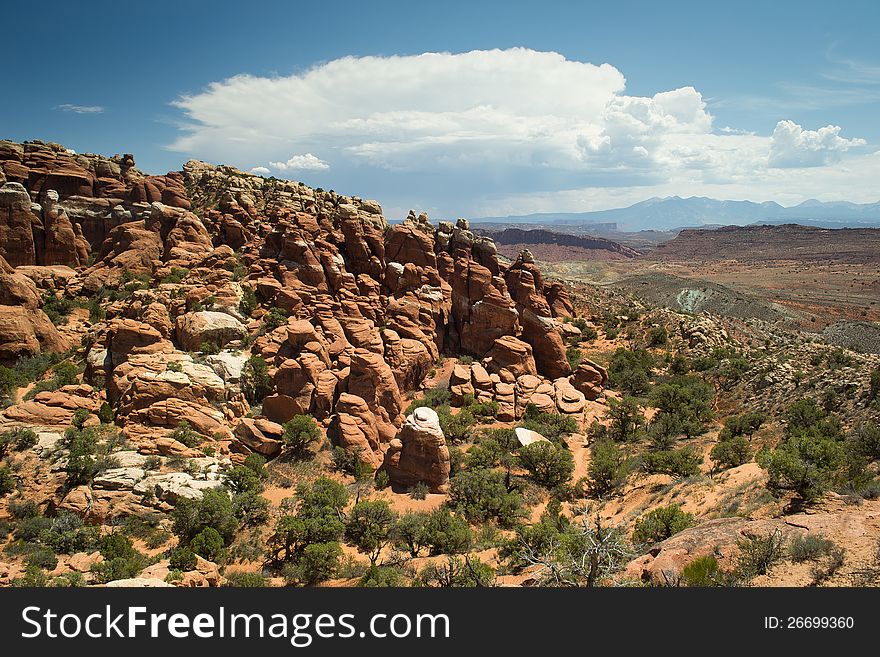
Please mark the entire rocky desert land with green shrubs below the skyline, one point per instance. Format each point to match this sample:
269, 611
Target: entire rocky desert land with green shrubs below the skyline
216, 378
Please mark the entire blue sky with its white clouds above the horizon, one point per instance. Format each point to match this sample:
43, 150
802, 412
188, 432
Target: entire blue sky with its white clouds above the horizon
732, 100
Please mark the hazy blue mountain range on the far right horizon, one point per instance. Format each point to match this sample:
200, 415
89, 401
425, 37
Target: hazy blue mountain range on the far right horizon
675, 212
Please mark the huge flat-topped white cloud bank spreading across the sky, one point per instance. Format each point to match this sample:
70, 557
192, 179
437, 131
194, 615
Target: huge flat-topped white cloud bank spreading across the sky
467, 132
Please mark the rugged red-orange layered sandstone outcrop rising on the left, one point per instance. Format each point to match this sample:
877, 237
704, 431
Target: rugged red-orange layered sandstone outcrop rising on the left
360, 310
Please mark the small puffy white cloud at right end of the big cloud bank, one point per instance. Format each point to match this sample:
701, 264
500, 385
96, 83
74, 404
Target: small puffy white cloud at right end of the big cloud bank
791, 146
